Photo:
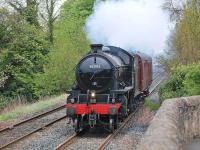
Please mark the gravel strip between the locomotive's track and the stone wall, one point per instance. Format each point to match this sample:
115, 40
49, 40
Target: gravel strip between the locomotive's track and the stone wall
131, 134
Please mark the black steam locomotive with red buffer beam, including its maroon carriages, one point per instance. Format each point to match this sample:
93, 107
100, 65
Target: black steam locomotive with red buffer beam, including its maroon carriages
110, 81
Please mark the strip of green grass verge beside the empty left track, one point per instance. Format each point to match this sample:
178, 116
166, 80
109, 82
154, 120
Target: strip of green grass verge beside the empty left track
31, 108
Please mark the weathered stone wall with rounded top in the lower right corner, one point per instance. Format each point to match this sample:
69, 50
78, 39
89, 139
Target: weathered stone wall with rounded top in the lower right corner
176, 122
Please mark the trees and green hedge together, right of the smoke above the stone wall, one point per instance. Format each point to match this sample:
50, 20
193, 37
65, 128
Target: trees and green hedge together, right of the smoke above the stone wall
182, 58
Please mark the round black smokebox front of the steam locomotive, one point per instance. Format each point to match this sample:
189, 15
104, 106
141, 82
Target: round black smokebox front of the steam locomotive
94, 72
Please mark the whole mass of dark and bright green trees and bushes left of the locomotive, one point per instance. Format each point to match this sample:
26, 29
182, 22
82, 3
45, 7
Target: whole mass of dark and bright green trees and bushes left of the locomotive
31, 66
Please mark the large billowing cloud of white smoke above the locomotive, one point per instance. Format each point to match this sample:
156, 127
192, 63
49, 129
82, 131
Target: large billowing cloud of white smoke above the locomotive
139, 25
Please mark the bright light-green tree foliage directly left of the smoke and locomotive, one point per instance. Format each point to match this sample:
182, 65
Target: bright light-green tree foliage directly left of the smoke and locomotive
69, 46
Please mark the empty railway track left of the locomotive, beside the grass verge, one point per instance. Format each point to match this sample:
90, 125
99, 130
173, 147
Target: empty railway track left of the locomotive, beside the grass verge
19, 131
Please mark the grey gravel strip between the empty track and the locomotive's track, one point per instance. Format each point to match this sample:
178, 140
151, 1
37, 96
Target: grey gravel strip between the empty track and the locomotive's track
47, 138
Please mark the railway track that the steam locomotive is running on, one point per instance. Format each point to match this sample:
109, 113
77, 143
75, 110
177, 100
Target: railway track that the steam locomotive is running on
74, 138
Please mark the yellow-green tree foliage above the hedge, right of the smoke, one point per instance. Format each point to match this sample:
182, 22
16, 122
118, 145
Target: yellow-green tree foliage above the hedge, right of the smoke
186, 40
